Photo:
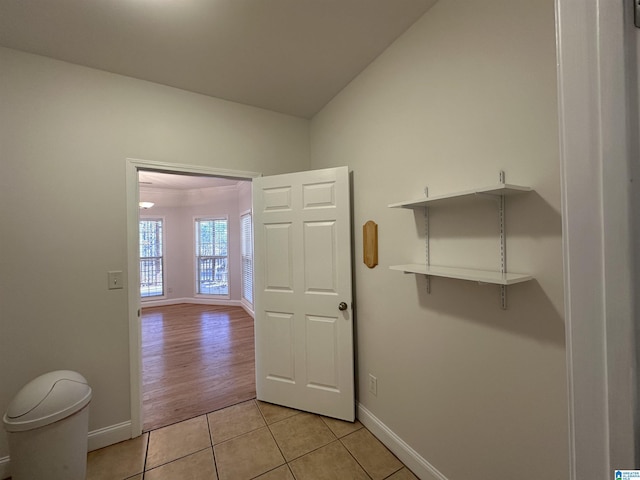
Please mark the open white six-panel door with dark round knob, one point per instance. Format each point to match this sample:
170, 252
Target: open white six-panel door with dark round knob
303, 315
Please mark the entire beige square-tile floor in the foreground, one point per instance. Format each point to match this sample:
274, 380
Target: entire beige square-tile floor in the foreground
251, 440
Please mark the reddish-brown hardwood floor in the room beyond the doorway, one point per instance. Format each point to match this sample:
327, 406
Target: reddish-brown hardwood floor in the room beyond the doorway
195, 359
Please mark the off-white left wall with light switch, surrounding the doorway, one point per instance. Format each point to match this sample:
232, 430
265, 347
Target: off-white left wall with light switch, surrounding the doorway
65, 132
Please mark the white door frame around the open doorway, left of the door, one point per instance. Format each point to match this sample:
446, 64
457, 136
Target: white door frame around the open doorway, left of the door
133, 262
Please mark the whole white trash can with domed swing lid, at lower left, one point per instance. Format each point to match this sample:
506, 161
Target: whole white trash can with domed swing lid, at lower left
47, 424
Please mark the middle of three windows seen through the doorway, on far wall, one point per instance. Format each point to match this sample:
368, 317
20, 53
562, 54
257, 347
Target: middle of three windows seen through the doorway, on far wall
212, 272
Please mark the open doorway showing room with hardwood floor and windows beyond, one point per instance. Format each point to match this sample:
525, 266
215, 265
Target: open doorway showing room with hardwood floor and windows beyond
192, 338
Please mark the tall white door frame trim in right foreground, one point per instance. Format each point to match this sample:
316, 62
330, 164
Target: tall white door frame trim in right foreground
598, 112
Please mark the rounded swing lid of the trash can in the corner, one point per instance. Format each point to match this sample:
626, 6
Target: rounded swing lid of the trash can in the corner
47, 399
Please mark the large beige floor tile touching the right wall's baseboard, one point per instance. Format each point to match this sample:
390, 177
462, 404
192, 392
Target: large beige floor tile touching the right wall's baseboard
371, 454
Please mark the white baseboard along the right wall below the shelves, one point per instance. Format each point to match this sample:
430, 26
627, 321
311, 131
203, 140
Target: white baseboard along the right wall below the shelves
417, 464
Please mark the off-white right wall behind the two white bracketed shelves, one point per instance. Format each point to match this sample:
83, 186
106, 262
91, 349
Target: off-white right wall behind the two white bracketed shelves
476, 391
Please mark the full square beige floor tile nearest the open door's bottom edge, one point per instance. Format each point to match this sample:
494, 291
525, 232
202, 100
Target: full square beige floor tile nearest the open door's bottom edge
301, 434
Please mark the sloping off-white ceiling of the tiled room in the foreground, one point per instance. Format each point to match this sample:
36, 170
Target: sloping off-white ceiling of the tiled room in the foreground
289, 56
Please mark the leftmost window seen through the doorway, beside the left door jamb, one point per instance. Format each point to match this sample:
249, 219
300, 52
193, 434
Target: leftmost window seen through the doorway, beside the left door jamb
151, 258
